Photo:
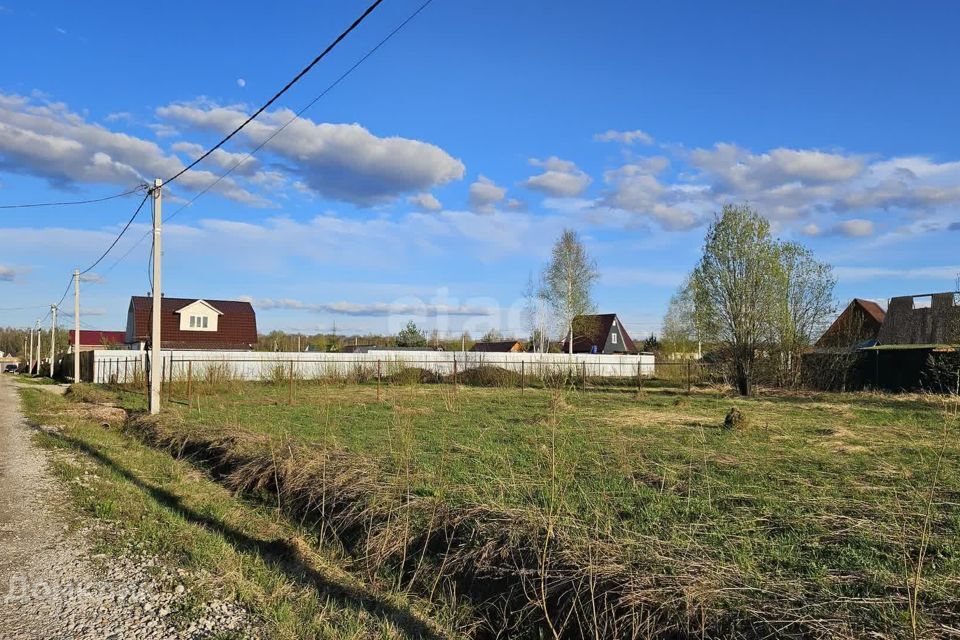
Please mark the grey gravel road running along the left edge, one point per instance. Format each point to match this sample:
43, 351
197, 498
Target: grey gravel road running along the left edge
50, 587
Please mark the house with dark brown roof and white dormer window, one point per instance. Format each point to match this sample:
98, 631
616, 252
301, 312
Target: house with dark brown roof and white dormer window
191, 323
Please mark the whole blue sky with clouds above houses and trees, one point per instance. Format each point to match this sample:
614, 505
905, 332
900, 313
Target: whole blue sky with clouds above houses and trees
433, 180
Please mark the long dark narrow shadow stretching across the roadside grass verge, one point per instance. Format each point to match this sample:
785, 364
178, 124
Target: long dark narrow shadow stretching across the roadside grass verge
278, 554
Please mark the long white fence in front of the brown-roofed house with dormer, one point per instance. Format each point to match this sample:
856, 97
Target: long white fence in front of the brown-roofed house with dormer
126, 366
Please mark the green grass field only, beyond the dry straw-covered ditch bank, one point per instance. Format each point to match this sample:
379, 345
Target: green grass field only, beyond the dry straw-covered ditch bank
841, 507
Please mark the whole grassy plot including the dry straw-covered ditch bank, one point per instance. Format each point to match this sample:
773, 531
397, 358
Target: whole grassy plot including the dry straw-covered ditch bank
828, 515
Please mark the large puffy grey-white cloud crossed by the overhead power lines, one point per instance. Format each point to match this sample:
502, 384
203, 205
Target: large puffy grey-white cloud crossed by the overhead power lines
340, 161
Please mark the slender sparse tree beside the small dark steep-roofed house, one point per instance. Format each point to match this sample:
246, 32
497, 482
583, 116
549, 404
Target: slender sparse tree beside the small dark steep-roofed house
568, 279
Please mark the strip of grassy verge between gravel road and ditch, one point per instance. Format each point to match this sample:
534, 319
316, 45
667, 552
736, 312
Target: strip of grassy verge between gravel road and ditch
160, 506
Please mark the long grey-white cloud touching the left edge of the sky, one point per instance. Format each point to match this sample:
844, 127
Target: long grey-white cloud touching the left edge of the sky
47, 140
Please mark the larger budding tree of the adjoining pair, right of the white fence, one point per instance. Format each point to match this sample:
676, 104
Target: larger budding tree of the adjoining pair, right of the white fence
735, 287
